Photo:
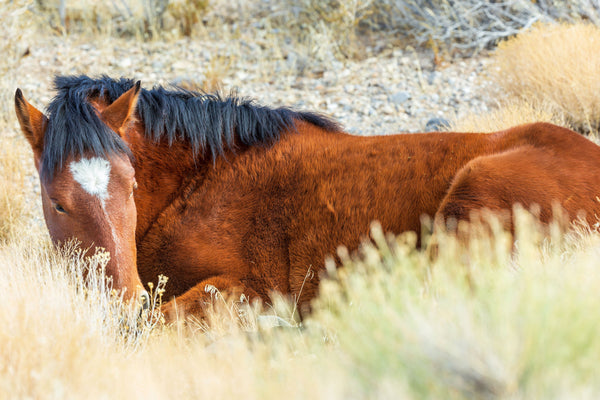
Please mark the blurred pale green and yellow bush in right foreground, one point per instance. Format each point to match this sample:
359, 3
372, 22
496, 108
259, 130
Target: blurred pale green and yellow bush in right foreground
479, 323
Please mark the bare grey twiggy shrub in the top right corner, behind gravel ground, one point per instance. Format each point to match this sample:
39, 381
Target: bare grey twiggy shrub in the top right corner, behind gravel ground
468, 26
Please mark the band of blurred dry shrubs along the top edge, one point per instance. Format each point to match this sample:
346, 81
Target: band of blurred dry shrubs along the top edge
348, 28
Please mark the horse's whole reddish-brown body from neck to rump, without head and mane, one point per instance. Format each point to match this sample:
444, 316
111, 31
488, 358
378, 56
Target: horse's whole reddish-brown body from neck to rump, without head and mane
269, 215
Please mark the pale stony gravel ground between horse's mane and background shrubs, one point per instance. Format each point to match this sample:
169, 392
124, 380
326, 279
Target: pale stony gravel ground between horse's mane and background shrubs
398, 91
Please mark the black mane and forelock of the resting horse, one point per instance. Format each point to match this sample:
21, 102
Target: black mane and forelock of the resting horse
209, 122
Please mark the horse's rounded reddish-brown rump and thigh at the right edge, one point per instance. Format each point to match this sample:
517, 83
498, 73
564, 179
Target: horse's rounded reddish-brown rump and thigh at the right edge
548, 167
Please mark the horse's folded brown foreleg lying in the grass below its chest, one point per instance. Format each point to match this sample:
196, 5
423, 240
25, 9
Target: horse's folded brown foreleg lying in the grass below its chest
197, 300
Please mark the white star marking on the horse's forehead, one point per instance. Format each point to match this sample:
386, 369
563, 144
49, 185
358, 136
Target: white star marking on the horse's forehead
93, 175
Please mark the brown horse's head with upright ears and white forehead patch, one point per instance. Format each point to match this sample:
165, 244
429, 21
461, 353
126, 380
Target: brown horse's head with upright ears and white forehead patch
87, 196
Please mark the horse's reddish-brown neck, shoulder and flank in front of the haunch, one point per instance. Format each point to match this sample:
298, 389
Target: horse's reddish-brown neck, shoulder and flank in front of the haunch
270, 214
